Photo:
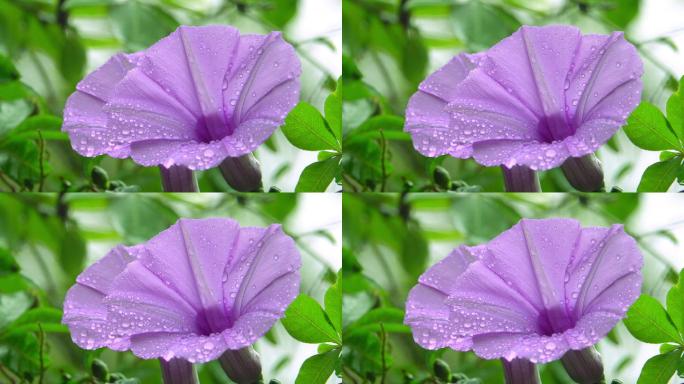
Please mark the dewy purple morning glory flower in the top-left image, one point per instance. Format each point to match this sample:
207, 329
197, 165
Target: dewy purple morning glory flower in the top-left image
199, 98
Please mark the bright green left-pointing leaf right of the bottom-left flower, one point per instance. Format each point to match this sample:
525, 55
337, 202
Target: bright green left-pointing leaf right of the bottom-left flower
305, 321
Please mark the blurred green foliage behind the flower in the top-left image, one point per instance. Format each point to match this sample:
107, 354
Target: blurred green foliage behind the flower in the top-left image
46, 47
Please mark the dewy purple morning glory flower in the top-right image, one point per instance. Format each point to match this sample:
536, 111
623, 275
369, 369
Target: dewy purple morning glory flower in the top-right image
541, 98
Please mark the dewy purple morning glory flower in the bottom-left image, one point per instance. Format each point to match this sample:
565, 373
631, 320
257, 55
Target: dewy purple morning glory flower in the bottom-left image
200, 290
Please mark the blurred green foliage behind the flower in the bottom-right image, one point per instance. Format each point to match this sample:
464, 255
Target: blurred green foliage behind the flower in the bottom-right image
390, 239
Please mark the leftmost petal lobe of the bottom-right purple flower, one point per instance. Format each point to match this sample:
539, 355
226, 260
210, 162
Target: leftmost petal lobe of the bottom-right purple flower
426, 309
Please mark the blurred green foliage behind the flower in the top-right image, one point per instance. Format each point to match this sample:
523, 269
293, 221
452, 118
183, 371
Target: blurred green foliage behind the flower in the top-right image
390, 46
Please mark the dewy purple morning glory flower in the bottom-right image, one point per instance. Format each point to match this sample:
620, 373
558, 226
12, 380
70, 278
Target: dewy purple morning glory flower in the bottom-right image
542, 290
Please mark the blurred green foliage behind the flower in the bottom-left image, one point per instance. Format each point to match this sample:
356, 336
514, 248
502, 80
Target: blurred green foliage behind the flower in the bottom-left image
46, 240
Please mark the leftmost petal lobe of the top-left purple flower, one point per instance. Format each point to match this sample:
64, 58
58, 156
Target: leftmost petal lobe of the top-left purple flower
84, 119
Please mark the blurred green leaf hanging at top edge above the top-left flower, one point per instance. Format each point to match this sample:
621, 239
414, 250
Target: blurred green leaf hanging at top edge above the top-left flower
141, 25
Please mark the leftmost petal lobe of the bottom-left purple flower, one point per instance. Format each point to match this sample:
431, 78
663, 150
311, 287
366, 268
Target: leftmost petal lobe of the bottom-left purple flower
84, 311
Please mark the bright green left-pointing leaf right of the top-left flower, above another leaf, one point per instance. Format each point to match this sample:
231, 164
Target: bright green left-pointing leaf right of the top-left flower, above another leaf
306, 129
